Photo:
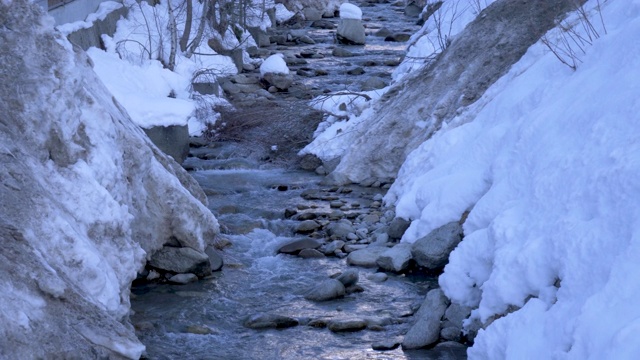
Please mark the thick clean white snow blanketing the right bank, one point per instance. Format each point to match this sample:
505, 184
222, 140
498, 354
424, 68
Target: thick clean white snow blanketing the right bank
549, 168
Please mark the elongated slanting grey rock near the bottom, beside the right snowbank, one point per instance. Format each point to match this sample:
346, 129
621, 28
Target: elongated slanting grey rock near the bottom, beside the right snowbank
426, 330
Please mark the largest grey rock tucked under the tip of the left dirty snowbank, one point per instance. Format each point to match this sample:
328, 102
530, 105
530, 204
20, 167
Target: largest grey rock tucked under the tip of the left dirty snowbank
181, 260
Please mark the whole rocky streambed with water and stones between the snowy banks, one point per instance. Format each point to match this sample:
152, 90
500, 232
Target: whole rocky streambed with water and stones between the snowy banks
303, 275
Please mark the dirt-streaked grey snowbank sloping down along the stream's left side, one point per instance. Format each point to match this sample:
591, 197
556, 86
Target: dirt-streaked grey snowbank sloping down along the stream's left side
86, 198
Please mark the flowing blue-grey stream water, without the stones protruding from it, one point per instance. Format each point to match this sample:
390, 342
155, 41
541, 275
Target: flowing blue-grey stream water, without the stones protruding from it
204, 320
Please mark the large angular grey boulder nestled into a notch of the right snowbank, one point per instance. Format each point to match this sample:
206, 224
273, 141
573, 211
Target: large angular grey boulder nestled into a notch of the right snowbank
432, 251
